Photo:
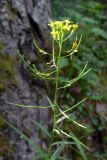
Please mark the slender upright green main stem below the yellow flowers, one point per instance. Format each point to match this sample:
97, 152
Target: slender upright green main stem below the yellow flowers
55, 102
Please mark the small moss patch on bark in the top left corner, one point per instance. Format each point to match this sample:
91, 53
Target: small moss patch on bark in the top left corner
11, 12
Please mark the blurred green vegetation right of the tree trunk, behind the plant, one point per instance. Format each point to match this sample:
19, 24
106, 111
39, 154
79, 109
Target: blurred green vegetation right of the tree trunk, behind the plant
91, 16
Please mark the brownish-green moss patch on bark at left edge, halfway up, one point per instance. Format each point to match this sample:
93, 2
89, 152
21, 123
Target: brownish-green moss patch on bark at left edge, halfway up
7, 72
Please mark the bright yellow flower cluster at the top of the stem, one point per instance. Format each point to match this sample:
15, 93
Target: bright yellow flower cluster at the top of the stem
60, 28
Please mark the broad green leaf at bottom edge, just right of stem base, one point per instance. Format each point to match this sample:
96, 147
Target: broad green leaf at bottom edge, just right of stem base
57, 152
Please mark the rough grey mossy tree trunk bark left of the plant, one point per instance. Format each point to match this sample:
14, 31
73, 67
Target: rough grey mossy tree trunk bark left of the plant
20, 21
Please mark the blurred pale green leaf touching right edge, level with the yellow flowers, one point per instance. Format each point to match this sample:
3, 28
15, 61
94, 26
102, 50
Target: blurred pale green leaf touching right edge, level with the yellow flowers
99, 32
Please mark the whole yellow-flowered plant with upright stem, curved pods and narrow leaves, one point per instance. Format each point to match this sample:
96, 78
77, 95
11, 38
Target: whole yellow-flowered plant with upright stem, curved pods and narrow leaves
61, 31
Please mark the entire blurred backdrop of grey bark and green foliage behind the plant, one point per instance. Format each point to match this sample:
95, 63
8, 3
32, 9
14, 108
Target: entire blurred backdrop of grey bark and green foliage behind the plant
20, 22
